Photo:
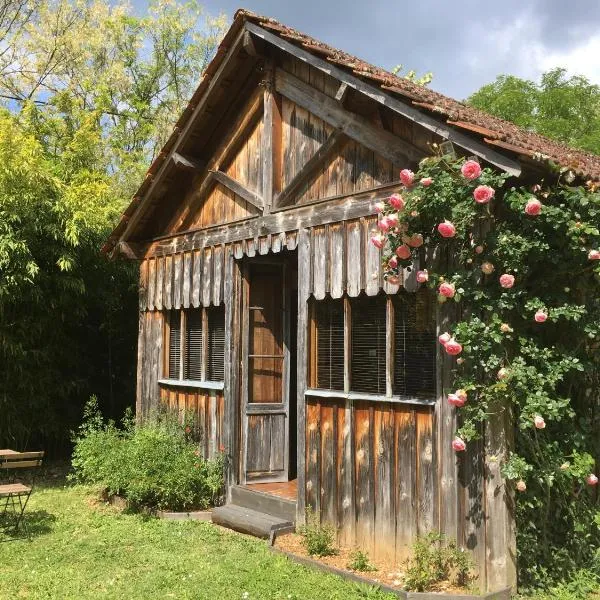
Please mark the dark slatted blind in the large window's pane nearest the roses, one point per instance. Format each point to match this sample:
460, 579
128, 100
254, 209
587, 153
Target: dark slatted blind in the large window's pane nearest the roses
414, 345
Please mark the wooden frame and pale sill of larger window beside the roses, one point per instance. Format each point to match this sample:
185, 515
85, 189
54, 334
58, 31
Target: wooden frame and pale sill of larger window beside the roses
348, 393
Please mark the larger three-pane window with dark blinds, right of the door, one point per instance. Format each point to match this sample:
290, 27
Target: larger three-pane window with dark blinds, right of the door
386, 345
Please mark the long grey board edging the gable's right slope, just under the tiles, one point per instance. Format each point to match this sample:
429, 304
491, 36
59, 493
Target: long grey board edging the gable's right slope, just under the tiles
375, 93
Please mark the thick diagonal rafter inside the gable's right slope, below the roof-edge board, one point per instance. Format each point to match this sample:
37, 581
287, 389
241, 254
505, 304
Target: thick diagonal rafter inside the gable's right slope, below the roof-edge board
354, 126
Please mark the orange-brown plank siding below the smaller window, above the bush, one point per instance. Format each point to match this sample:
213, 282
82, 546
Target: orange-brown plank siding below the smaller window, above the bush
203, 411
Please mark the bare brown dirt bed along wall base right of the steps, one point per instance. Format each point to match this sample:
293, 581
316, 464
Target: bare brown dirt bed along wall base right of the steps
387, 572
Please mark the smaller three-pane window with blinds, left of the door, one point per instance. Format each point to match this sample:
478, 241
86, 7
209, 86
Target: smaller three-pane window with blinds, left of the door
196, 344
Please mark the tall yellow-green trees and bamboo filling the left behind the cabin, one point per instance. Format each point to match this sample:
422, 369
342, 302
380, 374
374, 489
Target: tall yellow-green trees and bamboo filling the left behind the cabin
90, 93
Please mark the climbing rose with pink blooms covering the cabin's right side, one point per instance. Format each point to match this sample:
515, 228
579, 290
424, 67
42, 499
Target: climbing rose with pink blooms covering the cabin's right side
522, 267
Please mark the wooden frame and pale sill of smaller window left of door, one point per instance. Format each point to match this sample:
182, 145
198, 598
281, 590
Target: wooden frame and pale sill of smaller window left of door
203, 382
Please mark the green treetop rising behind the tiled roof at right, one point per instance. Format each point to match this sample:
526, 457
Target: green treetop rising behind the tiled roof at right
561, 107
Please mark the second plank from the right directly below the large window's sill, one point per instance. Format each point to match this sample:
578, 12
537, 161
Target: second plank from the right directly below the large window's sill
406, 479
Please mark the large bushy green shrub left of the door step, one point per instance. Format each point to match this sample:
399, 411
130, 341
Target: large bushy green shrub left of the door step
152, 465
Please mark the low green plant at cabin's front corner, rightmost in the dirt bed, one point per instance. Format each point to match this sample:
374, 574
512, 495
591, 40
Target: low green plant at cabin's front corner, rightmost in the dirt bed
434, 560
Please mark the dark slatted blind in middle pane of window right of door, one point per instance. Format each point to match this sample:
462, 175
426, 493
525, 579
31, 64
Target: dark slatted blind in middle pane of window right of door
367, 363
